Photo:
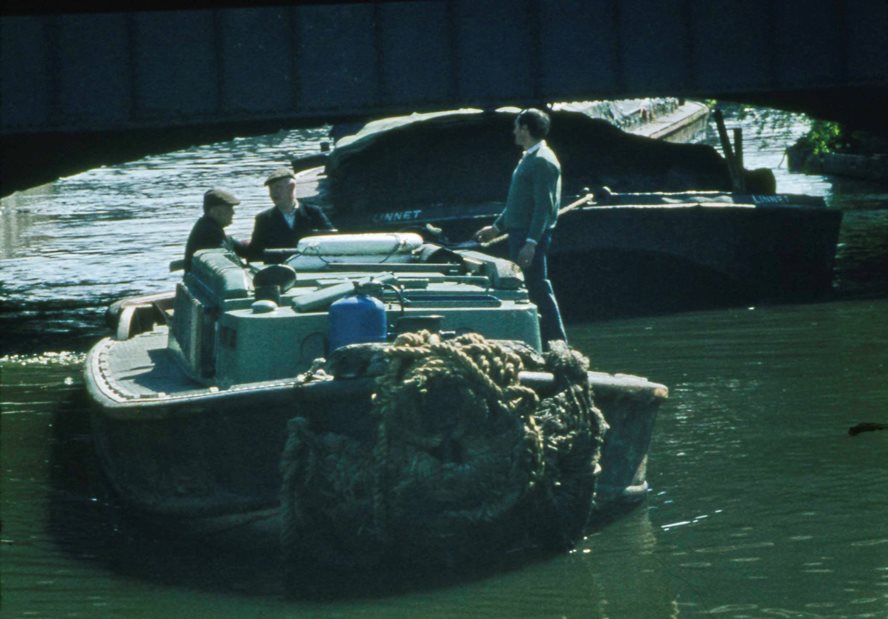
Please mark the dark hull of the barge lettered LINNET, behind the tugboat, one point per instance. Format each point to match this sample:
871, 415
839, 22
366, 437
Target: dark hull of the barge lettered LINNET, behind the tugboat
646, 253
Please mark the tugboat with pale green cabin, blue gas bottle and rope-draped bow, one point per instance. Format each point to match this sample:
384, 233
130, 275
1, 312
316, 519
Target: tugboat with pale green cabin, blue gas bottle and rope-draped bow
364, 385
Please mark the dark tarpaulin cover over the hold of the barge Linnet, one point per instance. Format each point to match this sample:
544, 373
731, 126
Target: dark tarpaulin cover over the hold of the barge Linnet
467, 157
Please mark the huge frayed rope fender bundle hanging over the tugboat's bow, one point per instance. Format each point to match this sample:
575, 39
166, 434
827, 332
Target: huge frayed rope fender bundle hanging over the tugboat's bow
462, 458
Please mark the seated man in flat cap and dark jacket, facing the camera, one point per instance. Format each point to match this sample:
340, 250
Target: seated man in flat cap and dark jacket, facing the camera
288, 220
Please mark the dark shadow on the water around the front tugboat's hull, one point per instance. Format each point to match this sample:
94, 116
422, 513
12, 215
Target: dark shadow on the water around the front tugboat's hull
88, 523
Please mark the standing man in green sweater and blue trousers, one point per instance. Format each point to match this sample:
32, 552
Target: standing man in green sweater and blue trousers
530, 215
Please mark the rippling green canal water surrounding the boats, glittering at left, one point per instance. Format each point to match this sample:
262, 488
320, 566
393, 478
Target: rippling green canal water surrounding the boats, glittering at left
762, 504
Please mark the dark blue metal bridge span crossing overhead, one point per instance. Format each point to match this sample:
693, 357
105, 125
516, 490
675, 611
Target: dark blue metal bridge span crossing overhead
90, 87
